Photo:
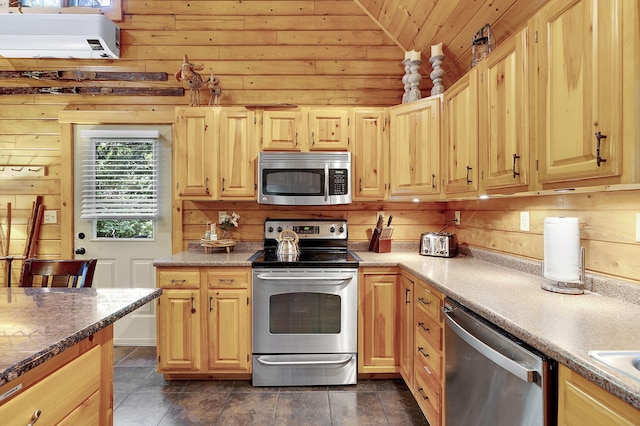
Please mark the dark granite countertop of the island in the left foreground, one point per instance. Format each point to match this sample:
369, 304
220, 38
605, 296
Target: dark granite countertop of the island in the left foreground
38, 323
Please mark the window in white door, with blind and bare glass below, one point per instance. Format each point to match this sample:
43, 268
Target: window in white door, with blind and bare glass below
120, 183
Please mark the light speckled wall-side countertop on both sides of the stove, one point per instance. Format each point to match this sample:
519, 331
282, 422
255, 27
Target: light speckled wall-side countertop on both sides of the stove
507, 291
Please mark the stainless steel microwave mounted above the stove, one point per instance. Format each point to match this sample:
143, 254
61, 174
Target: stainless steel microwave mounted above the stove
304, 178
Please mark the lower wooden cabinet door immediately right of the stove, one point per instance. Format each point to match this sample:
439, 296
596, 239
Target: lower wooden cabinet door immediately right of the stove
377, 345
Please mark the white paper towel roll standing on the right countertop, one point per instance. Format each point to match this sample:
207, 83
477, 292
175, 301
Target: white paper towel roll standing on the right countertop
562, 260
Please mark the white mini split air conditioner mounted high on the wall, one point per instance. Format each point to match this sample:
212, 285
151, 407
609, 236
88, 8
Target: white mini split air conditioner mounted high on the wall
58, 36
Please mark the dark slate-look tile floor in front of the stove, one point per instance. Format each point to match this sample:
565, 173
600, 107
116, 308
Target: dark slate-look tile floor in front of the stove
143, 397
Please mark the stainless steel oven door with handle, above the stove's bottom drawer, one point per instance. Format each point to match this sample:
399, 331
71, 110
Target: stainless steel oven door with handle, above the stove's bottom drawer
305, 311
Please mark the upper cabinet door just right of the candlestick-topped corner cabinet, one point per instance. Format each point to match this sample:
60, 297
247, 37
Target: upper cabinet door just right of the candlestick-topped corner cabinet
461, 135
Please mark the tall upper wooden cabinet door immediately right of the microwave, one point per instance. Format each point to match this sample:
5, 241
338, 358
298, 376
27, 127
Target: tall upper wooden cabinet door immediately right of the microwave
370, 154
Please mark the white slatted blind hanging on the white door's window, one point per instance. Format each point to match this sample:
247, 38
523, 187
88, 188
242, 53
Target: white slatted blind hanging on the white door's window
120, 178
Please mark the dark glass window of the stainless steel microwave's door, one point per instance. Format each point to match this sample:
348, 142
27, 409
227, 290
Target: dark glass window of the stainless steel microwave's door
293, 182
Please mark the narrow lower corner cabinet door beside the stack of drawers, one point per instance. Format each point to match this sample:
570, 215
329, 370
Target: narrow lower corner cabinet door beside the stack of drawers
405, 307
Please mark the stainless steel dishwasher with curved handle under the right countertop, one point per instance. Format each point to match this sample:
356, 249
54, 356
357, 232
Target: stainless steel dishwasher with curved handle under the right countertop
492, 379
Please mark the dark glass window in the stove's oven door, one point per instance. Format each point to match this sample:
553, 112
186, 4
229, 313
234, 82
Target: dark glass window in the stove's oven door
304, 313
